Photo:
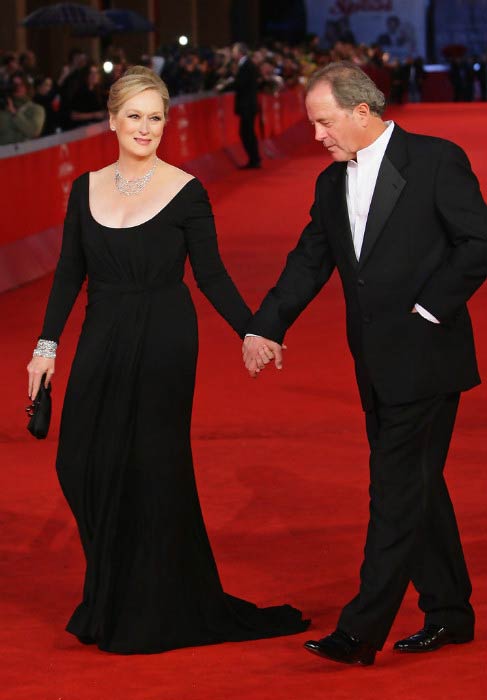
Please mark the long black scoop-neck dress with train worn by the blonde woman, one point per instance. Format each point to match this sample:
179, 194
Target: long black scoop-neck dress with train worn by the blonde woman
124, 460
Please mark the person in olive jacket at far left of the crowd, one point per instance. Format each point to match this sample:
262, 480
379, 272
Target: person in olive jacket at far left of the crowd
20, 118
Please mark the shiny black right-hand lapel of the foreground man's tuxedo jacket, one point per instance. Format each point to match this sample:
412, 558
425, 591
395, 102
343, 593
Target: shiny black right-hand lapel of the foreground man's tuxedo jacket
388, 188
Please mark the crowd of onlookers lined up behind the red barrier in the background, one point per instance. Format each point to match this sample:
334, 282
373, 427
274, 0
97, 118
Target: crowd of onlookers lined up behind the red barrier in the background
33, 104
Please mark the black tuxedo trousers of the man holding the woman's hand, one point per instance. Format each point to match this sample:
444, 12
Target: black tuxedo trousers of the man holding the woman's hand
412, 533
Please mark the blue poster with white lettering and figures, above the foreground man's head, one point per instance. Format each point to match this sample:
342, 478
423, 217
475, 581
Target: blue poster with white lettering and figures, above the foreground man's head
398, 26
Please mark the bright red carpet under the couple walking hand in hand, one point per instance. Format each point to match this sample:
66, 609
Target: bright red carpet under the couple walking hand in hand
270, 455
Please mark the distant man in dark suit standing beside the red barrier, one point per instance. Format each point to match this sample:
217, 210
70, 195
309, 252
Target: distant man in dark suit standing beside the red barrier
246, 104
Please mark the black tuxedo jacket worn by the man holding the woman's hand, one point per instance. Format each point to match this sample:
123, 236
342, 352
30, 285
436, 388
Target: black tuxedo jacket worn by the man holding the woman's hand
425, 242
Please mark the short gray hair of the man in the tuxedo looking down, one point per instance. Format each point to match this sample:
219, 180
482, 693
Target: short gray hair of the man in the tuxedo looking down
349, 86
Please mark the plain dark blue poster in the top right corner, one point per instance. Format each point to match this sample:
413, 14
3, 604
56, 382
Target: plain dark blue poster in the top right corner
460, 28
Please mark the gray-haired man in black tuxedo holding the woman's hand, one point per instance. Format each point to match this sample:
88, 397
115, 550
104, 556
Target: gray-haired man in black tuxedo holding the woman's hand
401, 217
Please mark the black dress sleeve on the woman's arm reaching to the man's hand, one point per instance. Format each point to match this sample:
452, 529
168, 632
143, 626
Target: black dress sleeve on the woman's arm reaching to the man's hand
209, 271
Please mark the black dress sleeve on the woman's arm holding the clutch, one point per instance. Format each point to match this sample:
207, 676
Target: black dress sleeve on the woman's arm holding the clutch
70, 271
